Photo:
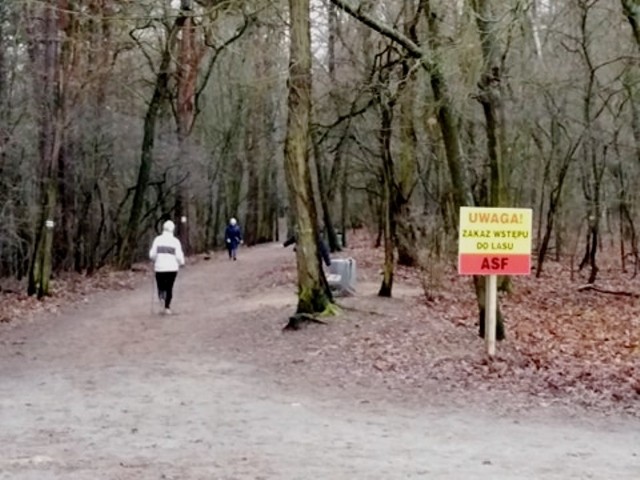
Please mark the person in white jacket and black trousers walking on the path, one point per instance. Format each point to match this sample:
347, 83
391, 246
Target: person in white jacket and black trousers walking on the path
167, 256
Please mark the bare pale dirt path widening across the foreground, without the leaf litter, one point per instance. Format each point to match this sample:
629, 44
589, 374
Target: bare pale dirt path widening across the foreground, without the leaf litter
108, 391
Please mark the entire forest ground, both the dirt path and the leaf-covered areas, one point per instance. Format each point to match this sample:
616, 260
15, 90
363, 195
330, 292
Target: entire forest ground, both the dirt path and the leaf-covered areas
93, 385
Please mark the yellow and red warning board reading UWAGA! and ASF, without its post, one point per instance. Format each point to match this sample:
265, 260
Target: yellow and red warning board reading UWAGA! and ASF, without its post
495, 241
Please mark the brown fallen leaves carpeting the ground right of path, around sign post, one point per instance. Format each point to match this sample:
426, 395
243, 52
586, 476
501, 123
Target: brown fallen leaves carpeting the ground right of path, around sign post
579, 348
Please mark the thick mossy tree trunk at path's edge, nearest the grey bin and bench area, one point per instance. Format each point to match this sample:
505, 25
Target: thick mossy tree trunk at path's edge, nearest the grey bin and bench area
313, 292
